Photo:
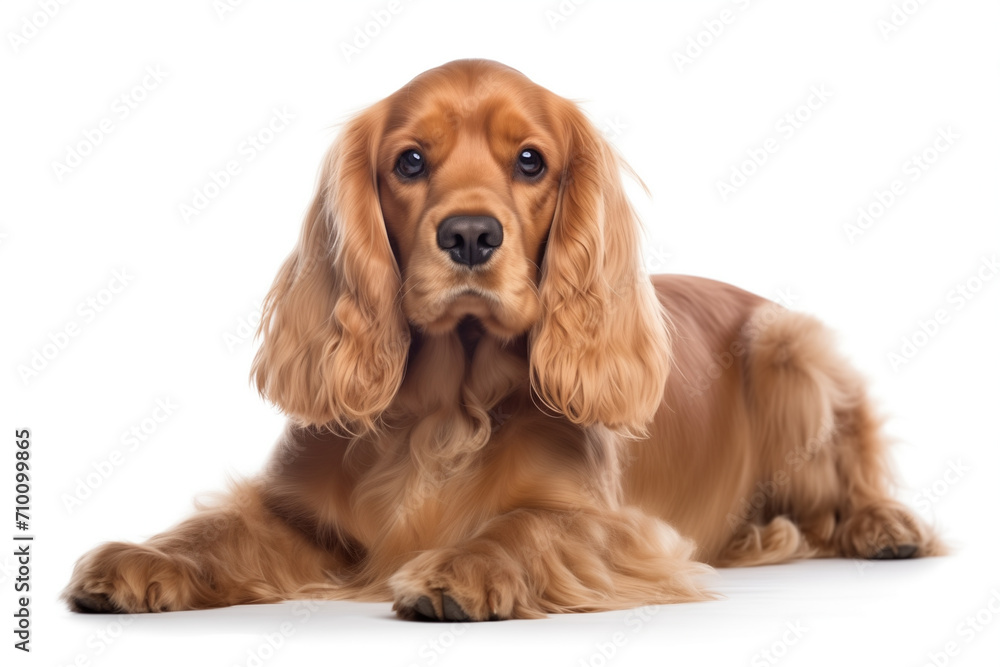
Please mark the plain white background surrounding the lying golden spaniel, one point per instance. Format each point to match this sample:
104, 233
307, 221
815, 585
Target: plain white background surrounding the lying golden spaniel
683, 127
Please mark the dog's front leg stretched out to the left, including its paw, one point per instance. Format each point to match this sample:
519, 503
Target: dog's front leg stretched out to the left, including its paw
237, 552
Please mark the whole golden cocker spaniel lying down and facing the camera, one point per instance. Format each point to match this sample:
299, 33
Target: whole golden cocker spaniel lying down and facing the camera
491, 407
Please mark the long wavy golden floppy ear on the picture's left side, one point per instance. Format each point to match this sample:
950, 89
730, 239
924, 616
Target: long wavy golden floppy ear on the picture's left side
334, 337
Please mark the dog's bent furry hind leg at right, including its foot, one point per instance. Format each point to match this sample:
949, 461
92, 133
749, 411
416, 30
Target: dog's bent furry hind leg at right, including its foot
824, 460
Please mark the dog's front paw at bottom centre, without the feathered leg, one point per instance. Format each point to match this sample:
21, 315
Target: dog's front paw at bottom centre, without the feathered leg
456, 585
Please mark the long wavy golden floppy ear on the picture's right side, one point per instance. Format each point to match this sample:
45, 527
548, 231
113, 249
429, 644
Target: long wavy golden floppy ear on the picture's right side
600, 352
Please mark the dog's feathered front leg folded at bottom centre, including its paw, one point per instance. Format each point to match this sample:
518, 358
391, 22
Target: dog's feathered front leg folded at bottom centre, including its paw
530, 562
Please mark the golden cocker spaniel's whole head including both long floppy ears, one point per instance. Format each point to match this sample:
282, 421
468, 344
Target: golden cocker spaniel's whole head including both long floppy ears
469, 193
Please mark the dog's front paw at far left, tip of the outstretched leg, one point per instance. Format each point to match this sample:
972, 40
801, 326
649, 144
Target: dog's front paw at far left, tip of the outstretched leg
127, 578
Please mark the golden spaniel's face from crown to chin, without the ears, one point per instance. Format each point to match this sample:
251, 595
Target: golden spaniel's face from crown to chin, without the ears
469, 169
